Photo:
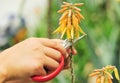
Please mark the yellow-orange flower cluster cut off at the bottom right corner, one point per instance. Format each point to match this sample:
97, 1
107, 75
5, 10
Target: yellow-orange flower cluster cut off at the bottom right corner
104, 75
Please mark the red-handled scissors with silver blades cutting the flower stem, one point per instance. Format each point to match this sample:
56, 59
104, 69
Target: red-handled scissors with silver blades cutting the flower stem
66, 43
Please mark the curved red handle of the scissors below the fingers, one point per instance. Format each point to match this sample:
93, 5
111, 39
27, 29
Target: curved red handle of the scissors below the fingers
50, 76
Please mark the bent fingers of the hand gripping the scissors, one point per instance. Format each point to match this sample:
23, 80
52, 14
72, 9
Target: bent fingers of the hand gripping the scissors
53, 51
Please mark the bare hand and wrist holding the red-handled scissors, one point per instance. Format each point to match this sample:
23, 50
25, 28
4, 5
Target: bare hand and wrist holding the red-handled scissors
31, 57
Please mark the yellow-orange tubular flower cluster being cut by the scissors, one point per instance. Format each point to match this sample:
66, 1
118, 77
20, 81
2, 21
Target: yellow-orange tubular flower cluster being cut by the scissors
69, 21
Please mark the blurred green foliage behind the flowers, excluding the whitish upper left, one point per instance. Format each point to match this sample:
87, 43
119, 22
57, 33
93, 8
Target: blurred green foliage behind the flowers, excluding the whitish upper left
101, 47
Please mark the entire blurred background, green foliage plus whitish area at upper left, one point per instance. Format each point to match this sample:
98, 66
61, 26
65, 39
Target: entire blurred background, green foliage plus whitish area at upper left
21, 19
